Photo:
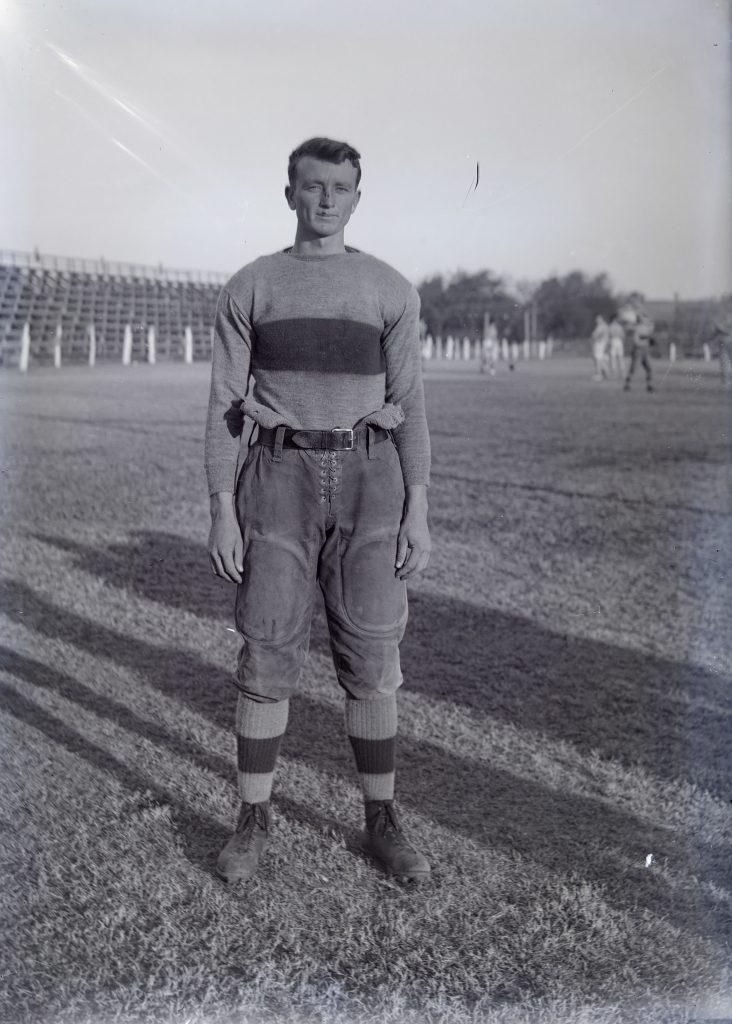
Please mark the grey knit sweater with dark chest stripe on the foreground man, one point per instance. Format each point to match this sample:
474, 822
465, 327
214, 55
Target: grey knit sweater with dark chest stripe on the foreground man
328, 340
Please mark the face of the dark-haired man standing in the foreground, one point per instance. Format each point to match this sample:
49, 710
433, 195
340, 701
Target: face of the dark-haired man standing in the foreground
324, 196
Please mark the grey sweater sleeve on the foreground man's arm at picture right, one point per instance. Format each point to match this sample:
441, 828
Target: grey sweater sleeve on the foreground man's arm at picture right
404, 386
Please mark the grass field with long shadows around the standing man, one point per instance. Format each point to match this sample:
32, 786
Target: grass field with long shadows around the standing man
565, 755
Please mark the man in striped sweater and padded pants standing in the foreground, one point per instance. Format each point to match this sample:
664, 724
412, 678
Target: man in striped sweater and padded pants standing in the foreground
334, 489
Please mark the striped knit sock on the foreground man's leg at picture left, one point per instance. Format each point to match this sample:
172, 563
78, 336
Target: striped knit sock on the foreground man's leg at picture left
260, 732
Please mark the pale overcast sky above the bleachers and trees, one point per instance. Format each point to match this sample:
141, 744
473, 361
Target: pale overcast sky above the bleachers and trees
153, 131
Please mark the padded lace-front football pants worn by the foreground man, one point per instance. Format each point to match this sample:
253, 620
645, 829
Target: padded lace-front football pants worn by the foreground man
332, 518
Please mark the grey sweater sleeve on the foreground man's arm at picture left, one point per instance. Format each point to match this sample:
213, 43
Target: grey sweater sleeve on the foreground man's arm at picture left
230, 379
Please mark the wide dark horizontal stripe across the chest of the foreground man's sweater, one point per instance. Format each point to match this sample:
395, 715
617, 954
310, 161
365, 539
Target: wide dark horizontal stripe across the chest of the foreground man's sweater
319, 346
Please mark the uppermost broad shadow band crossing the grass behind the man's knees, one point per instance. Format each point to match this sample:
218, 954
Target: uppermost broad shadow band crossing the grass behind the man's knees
670, 718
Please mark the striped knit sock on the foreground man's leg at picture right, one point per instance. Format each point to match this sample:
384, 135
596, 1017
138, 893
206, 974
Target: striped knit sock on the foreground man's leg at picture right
372, 730
